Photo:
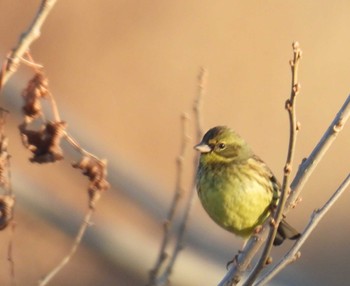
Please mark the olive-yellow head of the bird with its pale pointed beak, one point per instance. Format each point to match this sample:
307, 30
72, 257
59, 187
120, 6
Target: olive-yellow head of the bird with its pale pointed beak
222, 144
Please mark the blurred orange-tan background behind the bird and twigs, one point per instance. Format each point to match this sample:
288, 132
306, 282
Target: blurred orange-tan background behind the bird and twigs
122, 73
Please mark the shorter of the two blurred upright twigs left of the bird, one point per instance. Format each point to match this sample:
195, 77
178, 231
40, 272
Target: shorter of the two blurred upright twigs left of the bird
179, 190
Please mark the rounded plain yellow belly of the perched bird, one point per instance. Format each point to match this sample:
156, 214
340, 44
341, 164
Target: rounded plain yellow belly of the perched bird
237, 204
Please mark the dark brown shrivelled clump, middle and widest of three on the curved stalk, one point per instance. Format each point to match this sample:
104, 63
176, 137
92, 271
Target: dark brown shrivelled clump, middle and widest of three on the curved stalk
45, 142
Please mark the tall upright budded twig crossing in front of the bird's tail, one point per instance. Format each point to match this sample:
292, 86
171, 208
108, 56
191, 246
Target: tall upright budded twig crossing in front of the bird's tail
290, 106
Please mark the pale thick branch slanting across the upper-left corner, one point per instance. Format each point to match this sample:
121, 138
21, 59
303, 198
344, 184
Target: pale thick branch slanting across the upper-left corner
25, 40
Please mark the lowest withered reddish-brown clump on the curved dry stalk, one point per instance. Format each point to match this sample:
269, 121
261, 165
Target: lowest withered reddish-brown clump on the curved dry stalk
96, 171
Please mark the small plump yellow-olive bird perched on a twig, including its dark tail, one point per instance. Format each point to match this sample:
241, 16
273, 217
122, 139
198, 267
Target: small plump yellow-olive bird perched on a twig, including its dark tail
235, 187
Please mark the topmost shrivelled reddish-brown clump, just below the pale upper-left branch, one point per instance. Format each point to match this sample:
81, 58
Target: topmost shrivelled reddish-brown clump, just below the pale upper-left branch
36, 89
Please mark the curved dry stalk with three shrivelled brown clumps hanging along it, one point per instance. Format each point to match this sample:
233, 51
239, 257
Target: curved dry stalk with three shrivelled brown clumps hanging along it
44, 142
